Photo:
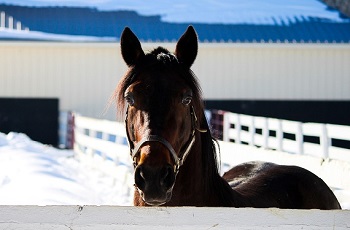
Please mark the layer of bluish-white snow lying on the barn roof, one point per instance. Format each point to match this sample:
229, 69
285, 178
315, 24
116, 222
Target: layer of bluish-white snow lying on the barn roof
208, 11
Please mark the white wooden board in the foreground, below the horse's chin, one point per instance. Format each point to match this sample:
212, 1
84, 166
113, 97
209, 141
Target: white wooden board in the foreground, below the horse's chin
117, 217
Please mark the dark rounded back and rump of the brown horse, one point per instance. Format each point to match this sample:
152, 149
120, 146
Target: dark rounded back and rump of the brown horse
263, 184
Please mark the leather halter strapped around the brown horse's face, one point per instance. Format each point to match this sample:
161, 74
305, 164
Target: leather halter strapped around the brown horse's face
178, 161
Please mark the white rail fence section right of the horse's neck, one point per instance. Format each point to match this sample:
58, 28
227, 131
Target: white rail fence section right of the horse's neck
287, 136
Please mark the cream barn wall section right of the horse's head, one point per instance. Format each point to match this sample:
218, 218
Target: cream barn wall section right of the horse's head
274, 71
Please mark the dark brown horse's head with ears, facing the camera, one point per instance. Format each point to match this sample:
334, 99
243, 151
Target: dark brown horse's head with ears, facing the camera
160, 95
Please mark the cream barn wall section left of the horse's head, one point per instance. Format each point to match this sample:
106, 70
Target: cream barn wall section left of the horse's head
83, 76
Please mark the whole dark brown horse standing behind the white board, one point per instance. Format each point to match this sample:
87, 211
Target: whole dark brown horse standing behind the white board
172, 148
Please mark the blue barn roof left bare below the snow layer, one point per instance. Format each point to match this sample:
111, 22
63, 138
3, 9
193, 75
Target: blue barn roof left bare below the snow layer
323, 27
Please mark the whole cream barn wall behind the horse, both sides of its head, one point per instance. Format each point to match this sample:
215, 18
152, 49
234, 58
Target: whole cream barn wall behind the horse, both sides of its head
84, 75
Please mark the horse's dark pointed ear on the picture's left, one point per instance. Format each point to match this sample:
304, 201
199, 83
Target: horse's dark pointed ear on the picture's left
130, 47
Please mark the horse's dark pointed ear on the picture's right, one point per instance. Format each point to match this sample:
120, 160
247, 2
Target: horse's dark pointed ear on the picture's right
187, 47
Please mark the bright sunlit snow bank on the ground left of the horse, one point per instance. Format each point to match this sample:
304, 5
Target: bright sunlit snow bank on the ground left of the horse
35, 174
